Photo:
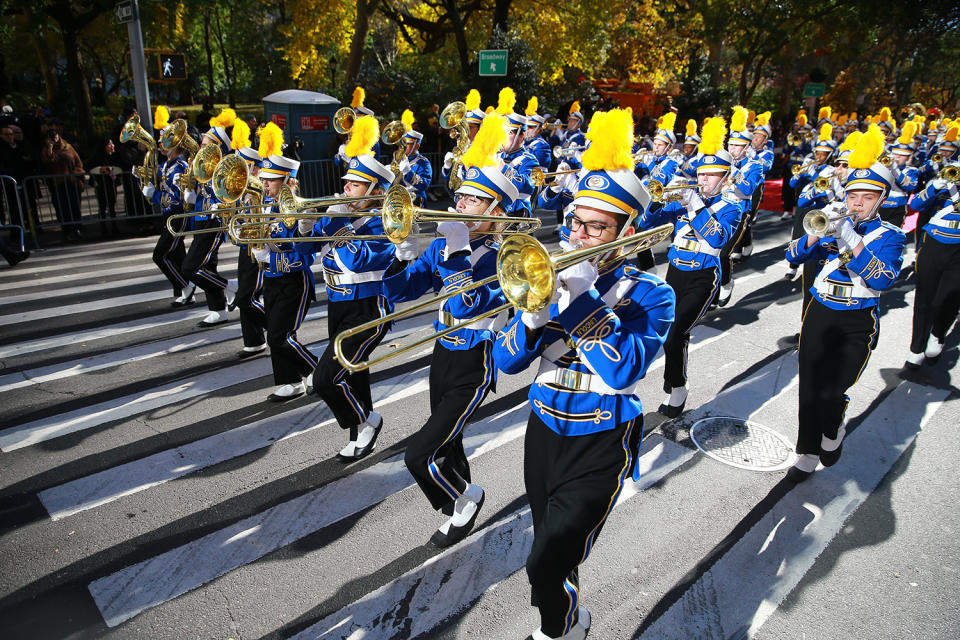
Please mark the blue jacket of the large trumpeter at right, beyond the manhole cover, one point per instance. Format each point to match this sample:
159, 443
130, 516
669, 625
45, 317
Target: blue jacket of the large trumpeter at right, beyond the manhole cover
845, 282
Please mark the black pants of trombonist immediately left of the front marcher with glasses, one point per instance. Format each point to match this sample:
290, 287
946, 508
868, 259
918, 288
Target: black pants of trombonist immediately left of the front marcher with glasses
459, 381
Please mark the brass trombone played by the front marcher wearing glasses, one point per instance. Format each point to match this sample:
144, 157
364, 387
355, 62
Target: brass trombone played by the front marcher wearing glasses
526, 273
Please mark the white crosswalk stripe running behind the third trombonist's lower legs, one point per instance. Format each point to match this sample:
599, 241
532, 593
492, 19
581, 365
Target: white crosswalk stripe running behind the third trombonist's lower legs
126, 479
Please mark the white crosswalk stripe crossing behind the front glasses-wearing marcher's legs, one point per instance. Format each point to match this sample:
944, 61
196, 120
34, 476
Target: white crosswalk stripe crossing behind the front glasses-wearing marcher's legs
421, 599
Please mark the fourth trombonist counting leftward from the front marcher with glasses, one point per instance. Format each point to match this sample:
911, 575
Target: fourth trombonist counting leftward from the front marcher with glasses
288, 287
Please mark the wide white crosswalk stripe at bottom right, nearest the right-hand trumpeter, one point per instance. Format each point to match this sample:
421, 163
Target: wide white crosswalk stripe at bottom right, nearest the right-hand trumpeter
746, 585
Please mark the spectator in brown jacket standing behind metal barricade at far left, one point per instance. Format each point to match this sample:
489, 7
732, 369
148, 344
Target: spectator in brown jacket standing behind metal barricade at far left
59, 158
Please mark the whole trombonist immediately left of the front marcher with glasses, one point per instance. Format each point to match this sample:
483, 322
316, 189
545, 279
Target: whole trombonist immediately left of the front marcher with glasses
461, 368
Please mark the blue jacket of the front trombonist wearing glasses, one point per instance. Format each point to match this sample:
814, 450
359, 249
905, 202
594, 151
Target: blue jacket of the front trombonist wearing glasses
593, 354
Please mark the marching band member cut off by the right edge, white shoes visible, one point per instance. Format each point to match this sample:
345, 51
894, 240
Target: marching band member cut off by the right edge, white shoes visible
937, 297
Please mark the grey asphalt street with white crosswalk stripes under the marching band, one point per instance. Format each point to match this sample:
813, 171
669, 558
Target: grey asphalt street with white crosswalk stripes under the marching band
148, 490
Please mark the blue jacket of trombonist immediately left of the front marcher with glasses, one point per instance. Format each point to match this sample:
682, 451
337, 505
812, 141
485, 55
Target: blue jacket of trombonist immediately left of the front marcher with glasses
435, 271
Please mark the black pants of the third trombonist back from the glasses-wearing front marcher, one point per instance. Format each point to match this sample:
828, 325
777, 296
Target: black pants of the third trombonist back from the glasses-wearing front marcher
348, 394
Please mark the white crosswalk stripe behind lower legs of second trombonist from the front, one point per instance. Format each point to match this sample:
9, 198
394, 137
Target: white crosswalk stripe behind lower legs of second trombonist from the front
127, 592
